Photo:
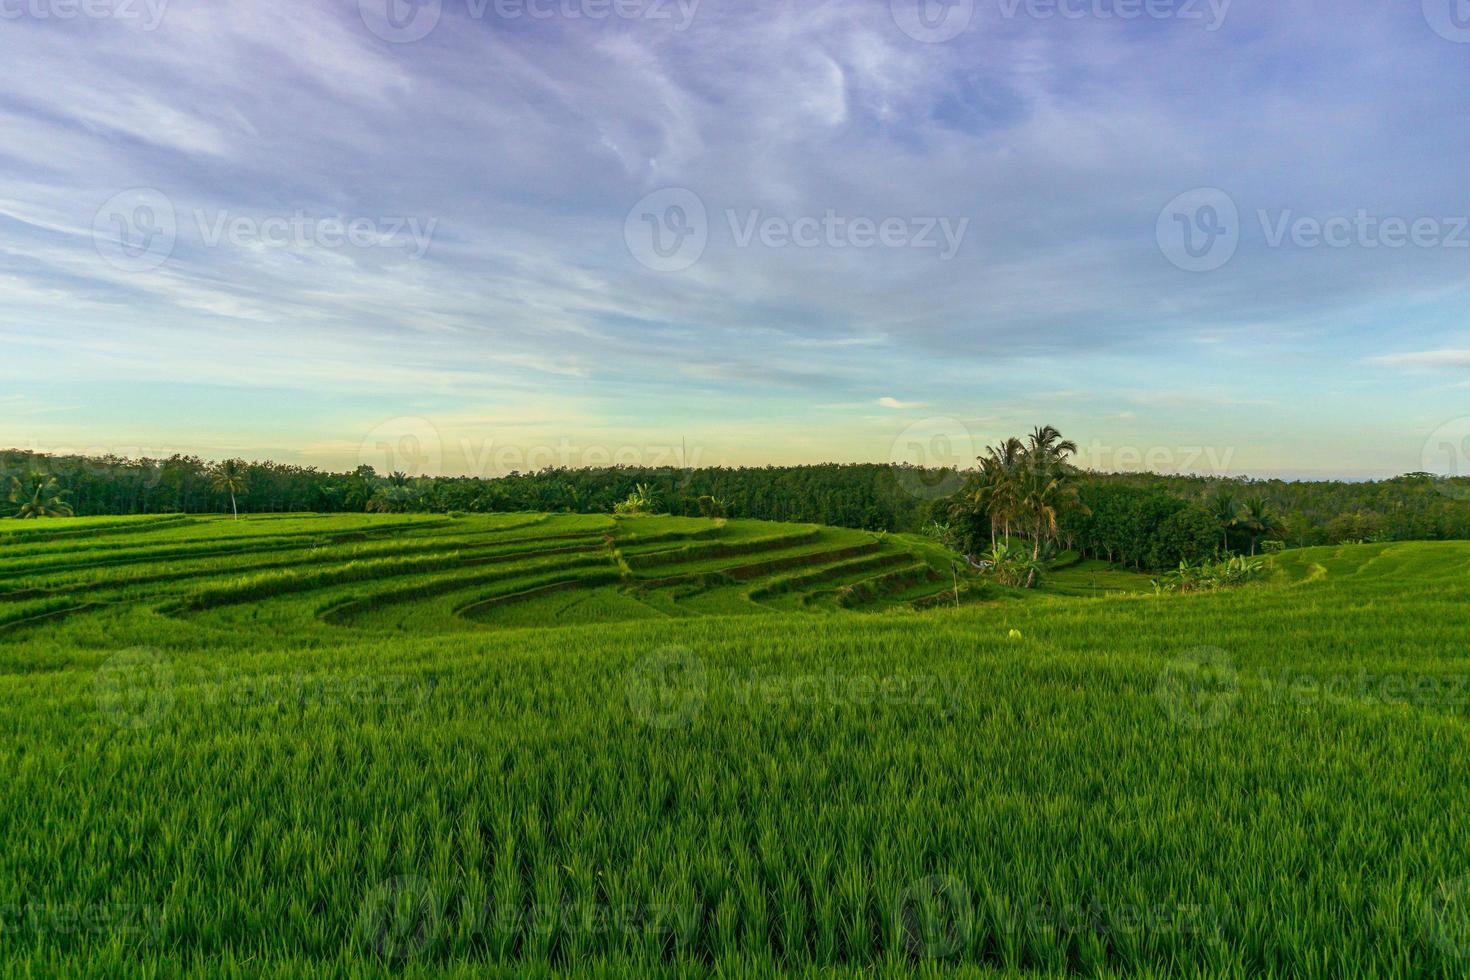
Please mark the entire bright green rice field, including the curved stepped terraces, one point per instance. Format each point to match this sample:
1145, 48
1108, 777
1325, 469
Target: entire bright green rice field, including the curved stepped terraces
409, 746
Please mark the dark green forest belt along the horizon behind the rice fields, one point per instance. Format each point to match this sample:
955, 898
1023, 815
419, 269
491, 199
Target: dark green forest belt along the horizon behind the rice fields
1140, 519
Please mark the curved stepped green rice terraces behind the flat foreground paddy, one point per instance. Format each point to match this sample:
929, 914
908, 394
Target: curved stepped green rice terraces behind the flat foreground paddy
462, 574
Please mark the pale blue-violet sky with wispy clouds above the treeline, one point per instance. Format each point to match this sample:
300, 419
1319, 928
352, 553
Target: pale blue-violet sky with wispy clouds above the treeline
480, 236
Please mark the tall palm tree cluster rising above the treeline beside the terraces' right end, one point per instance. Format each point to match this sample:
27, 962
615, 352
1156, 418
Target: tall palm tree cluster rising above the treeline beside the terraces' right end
1024, 487
